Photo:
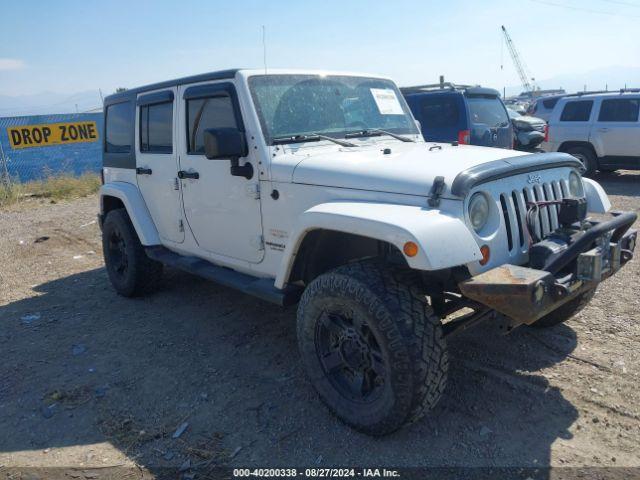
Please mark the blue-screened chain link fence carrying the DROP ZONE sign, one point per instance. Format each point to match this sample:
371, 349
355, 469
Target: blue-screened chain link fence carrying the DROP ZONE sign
39, 146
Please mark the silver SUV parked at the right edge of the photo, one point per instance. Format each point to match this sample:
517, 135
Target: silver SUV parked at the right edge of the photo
601, 130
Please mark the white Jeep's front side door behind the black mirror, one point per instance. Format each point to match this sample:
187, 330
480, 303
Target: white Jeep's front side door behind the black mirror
222, 211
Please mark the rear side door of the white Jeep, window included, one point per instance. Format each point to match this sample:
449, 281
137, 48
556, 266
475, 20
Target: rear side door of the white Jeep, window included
156, 161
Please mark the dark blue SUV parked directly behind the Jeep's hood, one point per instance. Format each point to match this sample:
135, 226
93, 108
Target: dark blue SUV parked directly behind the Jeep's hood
462, 113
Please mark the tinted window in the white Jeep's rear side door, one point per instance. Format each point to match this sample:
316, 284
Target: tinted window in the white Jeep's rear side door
156, 128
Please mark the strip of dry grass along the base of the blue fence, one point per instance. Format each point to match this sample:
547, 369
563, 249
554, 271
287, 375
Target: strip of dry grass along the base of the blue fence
54, 187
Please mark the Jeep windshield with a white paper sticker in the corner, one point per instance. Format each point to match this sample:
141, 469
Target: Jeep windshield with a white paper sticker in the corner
334, 106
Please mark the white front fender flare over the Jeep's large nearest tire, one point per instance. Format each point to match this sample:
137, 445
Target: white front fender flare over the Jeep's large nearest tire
443, 241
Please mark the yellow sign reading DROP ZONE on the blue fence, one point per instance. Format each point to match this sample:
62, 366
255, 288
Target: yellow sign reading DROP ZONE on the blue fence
27, 136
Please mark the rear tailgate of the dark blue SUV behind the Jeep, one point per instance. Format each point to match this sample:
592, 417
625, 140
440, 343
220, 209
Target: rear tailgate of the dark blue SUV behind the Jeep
489, 123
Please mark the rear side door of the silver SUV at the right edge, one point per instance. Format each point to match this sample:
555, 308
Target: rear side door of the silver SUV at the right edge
616, 130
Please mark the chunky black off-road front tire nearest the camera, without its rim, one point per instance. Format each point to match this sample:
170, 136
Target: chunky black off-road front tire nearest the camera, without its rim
409, 335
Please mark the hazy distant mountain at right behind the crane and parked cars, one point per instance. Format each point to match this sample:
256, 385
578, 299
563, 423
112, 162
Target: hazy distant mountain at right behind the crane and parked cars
612, 78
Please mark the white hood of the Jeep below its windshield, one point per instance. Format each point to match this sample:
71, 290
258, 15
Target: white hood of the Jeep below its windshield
409, 168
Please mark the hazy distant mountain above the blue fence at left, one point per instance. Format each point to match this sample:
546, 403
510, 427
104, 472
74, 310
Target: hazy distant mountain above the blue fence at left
49, 102
